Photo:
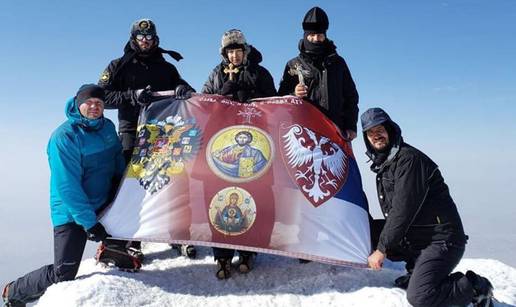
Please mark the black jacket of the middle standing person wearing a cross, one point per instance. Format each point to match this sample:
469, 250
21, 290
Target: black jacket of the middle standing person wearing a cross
253, 79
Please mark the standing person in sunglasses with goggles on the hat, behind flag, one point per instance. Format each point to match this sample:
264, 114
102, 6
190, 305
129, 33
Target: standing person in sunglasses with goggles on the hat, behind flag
129, 83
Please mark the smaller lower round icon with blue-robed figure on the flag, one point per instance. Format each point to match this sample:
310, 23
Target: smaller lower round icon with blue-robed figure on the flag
232, 211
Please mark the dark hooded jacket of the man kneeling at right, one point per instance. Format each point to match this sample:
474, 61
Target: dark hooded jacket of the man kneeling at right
413, 196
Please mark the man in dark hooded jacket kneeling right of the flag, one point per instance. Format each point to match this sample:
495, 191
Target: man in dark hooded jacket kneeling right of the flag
422, 225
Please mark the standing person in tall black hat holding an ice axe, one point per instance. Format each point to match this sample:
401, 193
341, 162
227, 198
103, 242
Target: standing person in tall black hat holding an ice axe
321, 76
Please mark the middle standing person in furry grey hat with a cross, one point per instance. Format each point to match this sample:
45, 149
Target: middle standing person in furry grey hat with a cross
240, 77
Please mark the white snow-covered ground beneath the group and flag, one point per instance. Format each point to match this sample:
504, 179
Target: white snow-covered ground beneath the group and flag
170, 280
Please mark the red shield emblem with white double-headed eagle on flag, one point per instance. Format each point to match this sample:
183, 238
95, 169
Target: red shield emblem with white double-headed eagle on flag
318, 165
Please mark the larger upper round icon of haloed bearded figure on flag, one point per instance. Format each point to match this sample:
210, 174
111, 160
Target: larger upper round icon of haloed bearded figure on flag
240, 153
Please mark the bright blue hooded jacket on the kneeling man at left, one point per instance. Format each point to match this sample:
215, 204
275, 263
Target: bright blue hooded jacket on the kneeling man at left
85, 158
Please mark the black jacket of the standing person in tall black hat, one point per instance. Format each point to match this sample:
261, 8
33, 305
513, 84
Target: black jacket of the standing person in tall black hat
330, 88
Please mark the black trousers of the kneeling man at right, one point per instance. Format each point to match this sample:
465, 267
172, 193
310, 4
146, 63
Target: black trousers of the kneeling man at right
431, 283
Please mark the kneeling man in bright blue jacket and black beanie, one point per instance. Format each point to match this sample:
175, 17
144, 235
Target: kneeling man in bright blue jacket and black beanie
86, 165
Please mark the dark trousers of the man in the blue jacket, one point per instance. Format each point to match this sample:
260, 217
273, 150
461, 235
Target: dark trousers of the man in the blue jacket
69, 243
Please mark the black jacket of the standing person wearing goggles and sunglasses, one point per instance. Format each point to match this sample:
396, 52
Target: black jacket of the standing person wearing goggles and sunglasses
125, 75
